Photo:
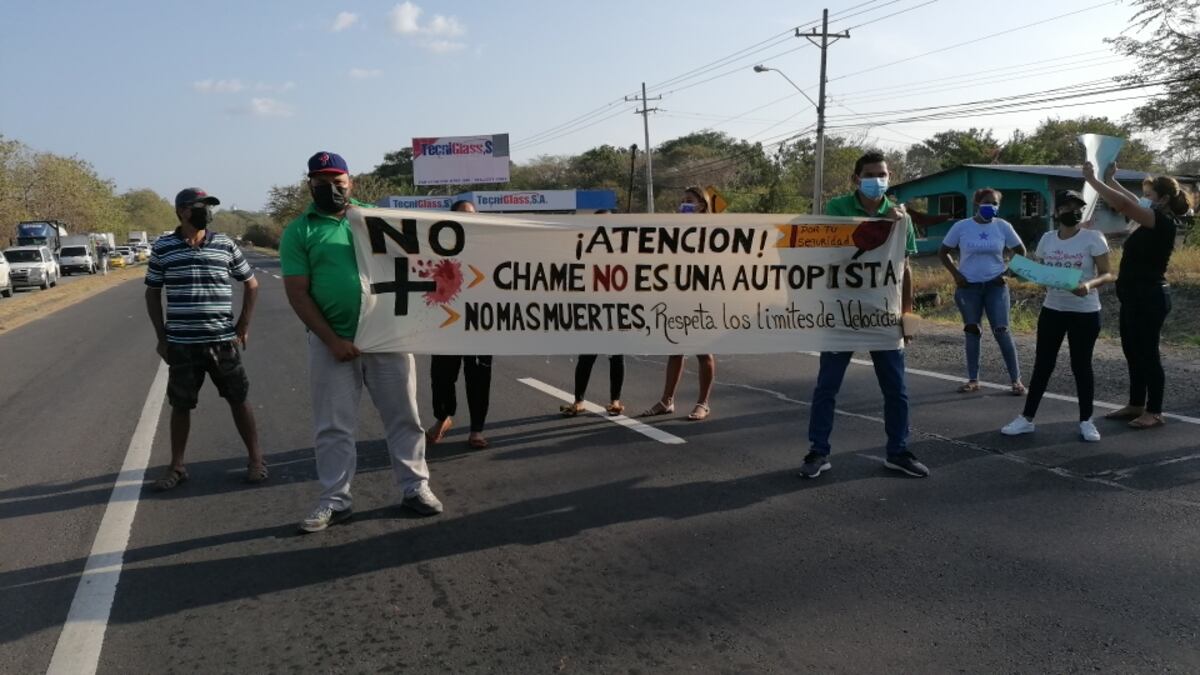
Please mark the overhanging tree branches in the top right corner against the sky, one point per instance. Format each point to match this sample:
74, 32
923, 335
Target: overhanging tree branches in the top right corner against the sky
1165, 39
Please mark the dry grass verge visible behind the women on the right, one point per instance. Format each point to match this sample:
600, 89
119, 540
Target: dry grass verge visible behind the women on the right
1183, 326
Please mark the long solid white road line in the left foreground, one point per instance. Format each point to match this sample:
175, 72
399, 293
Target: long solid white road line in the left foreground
83, 635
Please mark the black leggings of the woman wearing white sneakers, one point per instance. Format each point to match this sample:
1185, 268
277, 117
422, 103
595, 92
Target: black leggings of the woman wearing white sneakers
1082, 330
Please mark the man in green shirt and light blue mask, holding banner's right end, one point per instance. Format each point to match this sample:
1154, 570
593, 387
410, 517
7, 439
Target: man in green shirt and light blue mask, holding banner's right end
867, 201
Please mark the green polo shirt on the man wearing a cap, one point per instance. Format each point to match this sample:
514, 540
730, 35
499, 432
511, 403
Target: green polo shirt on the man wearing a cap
321, 248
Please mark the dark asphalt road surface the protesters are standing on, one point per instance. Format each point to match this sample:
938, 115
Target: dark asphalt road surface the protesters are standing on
581, 546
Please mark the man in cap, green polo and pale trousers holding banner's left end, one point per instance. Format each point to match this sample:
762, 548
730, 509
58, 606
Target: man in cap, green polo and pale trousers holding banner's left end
321, 277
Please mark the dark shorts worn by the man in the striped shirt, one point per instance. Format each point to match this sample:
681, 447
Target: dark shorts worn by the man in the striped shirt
188, 365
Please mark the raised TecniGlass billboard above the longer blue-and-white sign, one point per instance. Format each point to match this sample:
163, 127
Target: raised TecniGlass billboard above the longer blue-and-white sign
461, 160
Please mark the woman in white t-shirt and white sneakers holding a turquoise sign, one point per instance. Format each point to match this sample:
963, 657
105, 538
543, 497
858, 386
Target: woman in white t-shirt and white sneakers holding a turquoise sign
1071, 314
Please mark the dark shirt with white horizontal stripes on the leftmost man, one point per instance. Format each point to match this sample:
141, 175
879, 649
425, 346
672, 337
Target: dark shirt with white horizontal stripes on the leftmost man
200, 296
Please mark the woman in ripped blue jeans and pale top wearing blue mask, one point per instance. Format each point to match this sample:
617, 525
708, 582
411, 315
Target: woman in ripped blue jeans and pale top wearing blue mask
983, 244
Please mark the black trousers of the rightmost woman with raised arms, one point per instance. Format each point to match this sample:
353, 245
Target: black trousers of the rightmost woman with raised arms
1144, 309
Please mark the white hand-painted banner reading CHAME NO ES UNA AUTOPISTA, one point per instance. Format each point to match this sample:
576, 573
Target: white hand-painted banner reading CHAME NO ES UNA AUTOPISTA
680, 284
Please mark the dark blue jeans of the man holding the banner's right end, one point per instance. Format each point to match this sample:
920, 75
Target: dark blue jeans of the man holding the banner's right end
889, 371
